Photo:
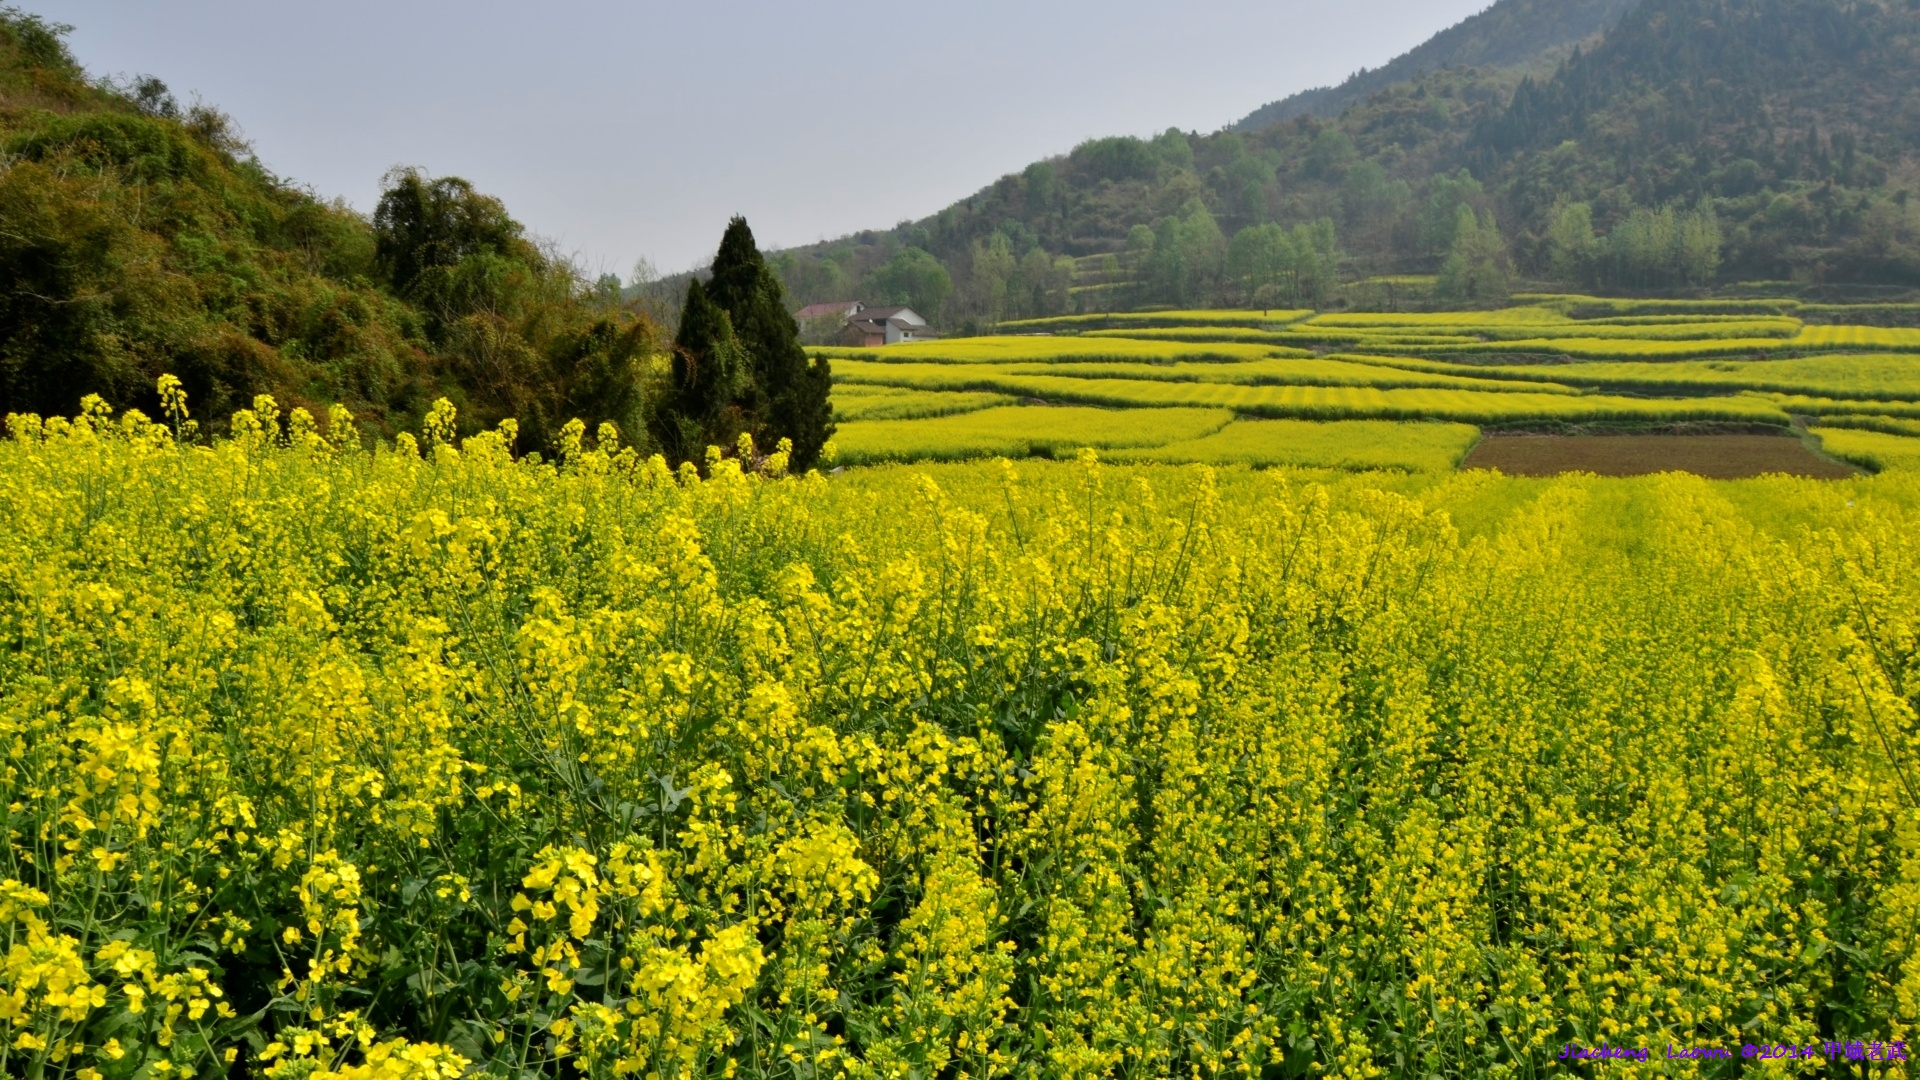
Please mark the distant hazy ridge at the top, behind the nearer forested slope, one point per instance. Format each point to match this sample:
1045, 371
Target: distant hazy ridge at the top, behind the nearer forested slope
1514, 34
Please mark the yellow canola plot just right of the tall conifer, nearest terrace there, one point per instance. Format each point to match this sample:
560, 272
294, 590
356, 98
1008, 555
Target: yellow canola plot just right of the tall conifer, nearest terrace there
1020, 431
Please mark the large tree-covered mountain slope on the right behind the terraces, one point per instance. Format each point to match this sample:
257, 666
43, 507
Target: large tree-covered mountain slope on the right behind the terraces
1698, 143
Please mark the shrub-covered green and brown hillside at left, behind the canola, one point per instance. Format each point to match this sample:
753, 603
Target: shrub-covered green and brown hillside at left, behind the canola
145, 239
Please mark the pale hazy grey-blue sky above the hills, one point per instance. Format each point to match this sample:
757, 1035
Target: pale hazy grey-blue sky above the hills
638, 128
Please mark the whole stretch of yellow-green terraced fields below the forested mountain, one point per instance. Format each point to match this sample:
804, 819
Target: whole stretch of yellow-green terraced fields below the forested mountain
1399, 391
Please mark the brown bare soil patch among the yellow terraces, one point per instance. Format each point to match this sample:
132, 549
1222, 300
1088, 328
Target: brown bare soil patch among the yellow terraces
1714, 456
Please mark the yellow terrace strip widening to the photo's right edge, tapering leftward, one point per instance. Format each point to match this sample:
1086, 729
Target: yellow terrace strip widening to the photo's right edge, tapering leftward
1856, 378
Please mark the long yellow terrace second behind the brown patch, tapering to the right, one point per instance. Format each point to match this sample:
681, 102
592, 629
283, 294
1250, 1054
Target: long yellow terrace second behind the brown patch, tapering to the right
1013, 378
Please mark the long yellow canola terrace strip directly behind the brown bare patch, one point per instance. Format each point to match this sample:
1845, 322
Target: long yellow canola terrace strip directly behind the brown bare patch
1372, 403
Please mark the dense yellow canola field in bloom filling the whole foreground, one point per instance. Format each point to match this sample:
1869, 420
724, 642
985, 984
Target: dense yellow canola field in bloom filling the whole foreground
429, 762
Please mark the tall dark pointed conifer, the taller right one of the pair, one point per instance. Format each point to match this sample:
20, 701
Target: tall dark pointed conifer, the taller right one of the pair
786, 397
